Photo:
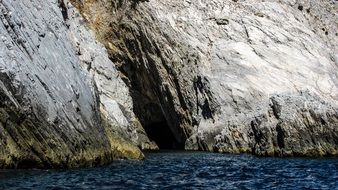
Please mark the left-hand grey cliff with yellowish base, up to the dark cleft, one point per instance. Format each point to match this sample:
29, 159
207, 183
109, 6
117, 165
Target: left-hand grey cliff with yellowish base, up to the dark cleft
52, 112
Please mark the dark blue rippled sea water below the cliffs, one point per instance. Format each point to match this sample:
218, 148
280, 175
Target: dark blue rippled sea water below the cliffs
185, 170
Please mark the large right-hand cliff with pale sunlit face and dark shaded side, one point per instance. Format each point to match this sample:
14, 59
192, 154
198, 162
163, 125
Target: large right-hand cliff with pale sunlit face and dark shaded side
229, 76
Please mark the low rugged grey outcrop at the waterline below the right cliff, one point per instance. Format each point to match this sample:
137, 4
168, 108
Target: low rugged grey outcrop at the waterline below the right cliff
304, 126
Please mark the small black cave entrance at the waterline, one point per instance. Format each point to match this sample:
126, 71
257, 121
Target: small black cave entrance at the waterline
161, 133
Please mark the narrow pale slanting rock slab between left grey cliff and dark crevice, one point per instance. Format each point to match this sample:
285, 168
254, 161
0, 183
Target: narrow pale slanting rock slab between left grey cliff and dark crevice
115, 102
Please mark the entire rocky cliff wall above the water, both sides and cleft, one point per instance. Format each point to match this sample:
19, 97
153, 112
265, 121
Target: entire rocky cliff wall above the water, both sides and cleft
229, 76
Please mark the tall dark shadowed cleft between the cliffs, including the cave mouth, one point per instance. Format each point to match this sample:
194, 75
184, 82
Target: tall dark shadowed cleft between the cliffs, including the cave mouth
152, 104
